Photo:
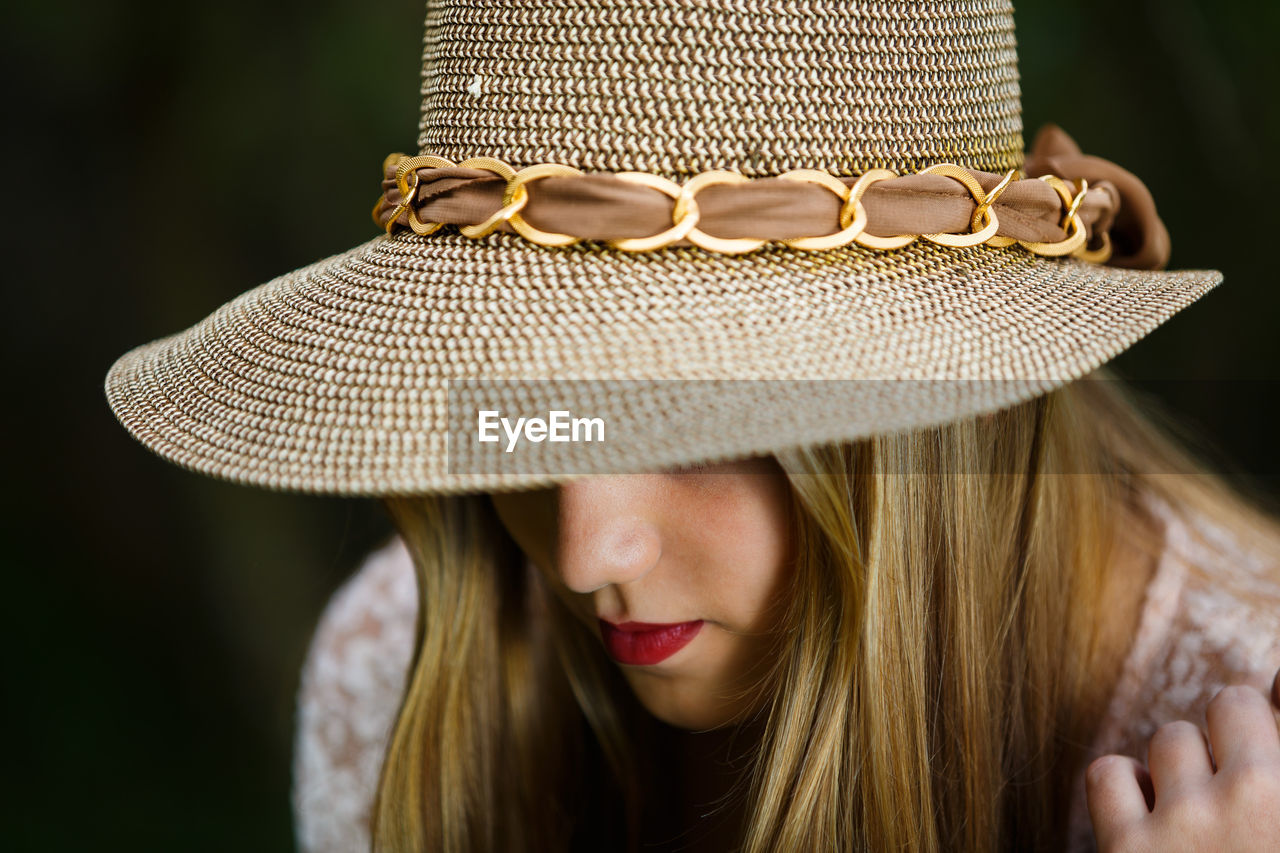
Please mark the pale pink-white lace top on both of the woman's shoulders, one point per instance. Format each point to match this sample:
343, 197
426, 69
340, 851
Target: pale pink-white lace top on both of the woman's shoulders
1194, 638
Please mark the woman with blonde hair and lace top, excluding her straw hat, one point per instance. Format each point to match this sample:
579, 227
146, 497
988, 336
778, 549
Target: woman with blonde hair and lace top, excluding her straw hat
945, 601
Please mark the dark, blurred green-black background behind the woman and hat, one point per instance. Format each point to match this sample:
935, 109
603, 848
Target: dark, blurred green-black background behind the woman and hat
163, 158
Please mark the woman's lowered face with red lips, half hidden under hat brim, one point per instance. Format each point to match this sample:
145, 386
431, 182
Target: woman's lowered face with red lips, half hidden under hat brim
680, 574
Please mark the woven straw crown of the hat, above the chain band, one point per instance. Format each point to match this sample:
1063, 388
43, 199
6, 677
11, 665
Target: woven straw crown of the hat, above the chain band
676, 88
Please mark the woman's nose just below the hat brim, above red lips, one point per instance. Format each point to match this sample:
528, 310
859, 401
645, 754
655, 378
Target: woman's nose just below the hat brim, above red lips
607, 532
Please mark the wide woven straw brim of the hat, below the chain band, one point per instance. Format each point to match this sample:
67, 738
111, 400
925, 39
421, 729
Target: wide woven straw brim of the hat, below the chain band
335, 378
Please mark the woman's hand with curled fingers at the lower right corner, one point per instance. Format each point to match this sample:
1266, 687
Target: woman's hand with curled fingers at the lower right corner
1191, 800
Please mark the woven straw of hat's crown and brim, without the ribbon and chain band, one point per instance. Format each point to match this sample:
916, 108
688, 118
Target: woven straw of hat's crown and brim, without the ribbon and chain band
335, 378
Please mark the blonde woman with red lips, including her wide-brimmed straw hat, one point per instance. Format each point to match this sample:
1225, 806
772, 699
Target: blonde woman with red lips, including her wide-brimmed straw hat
922, 580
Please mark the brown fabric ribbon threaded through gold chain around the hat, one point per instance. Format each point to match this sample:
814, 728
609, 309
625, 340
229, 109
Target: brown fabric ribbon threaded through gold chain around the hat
602, 207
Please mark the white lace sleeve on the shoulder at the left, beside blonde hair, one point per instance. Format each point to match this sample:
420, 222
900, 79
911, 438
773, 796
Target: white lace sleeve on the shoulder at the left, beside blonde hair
348, 701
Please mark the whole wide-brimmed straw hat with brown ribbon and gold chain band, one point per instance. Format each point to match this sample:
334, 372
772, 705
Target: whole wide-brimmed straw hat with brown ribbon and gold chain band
698, 231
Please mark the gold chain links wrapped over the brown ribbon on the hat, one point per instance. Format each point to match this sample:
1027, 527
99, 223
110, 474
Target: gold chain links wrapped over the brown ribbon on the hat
685, 213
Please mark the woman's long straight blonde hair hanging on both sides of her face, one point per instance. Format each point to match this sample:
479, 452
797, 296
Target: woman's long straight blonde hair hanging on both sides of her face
932, 688
